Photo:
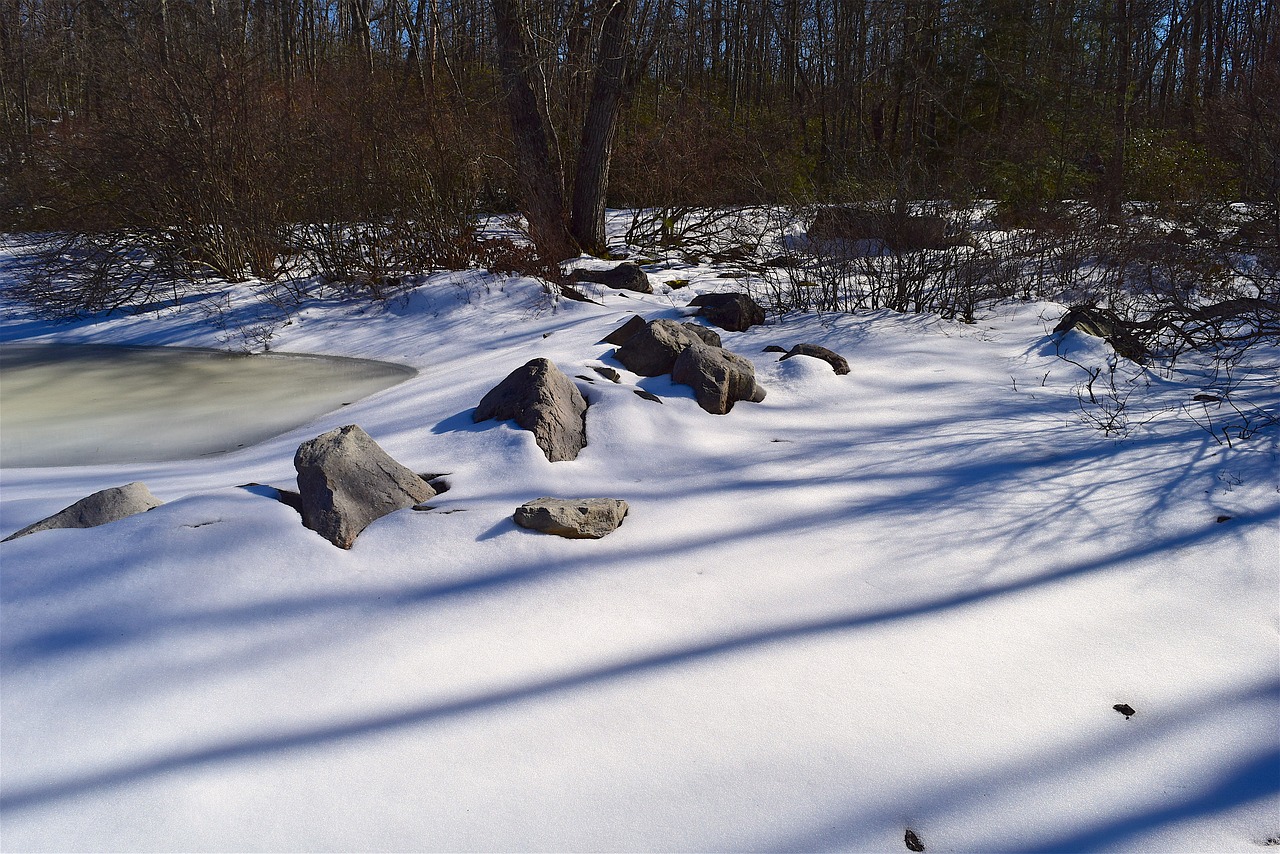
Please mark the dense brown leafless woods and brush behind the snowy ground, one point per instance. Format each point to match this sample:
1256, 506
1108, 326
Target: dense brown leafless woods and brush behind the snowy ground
245, 138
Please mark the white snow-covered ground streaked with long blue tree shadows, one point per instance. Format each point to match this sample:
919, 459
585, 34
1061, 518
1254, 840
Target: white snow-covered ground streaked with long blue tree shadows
903, 599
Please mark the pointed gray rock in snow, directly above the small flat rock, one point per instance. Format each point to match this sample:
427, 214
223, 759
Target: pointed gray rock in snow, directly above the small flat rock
543, 401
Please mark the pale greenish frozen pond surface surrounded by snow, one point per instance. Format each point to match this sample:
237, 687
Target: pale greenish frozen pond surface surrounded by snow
65, 405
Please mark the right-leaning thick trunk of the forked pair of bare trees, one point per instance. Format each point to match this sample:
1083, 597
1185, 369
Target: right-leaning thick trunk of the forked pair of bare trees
600, 127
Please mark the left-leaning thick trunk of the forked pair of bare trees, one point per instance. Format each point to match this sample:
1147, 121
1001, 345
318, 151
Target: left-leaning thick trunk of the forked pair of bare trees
541, 175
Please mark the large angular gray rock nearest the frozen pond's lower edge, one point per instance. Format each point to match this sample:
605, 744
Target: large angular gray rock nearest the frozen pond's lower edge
346, 481
